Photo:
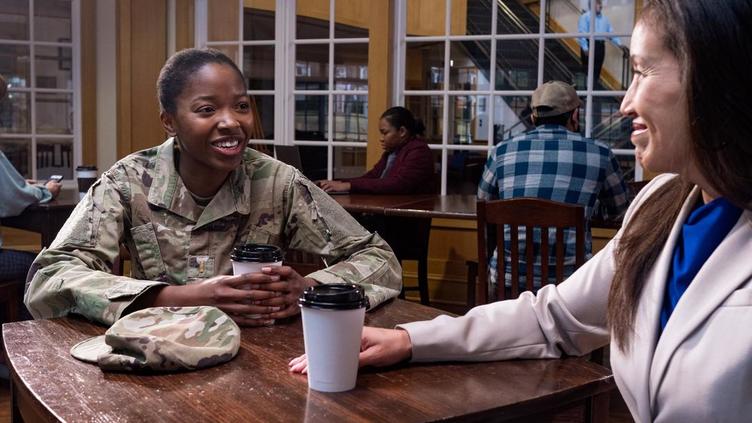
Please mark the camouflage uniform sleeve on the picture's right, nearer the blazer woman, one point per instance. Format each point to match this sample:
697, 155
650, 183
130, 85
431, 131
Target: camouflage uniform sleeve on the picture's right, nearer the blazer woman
317, 224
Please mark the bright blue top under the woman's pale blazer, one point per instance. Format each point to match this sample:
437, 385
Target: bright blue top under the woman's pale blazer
701, 234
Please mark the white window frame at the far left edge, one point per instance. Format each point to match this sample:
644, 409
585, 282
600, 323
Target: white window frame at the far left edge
75, 91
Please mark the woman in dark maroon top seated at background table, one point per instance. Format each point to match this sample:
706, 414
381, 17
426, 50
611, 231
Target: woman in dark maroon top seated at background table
406, 167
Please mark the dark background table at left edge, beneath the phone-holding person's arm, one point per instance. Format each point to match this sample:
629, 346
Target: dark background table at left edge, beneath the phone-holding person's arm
45, 219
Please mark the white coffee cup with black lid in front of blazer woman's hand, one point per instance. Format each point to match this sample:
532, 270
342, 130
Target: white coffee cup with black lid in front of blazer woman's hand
333, 317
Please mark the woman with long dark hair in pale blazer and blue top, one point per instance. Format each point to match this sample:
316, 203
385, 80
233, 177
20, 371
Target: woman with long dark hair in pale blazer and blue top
673, 290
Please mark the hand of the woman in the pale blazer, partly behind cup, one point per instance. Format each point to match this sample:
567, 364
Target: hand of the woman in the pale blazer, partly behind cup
378, 347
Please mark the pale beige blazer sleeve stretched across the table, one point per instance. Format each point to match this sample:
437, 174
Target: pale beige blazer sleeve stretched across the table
569, 318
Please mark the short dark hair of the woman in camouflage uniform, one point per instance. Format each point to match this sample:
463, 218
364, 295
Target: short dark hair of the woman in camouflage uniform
180, 67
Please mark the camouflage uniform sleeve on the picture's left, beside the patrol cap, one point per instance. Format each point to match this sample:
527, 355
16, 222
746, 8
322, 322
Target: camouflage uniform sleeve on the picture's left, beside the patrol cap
73, 275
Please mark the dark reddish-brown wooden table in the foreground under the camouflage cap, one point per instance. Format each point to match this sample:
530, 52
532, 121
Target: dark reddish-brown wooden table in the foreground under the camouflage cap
48, 384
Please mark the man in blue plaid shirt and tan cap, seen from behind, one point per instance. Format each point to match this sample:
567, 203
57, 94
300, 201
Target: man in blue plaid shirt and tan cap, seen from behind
554, 162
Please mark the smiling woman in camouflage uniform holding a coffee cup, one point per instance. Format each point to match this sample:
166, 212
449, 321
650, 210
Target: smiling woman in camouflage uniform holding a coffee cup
180, 208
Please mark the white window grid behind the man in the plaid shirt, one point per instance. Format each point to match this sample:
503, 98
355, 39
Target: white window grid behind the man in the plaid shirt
399, 76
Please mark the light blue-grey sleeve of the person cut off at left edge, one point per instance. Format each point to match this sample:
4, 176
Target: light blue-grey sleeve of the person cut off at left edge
16, 194
